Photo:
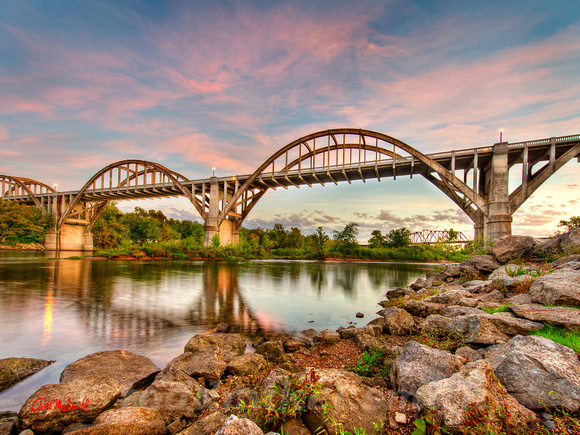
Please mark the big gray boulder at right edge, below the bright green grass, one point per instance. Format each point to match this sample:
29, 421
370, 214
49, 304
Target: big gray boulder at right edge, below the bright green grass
538, 372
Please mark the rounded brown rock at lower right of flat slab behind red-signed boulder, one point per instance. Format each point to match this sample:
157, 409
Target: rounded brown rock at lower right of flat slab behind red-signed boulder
173, 400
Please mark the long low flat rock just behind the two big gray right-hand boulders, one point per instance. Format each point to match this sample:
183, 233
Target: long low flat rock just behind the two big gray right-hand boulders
480, 328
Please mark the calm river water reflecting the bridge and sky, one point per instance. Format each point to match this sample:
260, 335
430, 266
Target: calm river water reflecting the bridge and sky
65, 309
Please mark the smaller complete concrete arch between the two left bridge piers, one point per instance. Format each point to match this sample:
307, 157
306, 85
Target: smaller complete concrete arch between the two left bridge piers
132, 176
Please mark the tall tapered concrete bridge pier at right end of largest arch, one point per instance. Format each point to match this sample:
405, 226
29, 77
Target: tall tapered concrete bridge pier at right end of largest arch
499, 219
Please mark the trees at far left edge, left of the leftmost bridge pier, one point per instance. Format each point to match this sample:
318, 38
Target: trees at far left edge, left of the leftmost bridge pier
21, 223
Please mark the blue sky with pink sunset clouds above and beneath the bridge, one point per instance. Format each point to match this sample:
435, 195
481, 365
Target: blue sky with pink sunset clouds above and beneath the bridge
195, 84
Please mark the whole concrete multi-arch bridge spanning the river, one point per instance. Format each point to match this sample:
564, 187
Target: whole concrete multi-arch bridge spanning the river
475, 179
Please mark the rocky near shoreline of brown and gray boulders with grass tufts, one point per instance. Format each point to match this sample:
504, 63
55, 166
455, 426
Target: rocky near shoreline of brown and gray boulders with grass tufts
445, 359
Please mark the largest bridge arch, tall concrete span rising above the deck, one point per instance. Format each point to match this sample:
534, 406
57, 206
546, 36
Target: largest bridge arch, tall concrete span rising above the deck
345, 148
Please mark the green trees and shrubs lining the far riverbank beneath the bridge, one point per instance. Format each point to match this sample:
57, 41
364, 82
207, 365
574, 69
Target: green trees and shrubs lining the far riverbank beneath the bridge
151, 235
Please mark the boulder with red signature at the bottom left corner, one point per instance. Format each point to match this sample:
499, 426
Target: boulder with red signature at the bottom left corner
54, 406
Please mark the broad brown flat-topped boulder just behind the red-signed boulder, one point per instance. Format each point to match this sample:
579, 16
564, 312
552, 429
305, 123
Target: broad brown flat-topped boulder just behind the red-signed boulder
131, 371
